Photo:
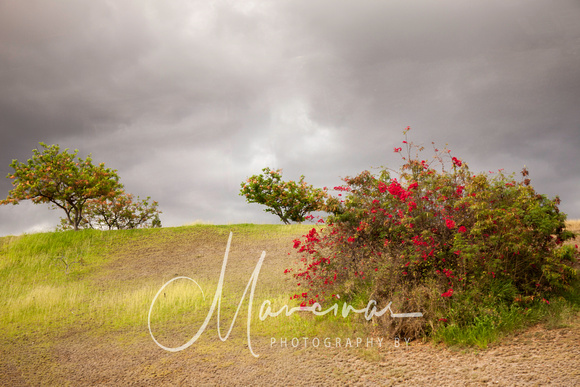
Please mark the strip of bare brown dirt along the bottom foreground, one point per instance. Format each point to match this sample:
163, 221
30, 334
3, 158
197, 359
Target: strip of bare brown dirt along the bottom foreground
537, 357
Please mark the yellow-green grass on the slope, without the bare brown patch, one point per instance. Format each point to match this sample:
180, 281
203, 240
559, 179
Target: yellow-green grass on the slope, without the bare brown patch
39, 296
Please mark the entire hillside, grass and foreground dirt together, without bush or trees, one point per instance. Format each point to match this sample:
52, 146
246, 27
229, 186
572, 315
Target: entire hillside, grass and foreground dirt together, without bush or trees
75, 312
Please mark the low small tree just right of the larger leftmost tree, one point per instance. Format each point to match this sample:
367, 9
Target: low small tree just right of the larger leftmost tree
119, 212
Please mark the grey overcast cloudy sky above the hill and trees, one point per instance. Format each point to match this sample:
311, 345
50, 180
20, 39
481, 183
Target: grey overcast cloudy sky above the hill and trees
186, 99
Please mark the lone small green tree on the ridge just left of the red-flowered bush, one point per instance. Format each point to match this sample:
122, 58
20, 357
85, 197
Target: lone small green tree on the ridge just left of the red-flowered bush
291, 201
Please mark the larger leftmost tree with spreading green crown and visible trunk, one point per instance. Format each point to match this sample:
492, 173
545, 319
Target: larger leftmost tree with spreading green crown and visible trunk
63, 179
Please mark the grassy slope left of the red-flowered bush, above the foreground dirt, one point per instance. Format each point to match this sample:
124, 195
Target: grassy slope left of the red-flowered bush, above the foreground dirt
99, 285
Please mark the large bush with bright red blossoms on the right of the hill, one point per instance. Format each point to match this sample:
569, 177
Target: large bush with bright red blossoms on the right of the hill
436, 238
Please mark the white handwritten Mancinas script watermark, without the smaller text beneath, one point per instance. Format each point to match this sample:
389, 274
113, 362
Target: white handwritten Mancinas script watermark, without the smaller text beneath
266, 308
